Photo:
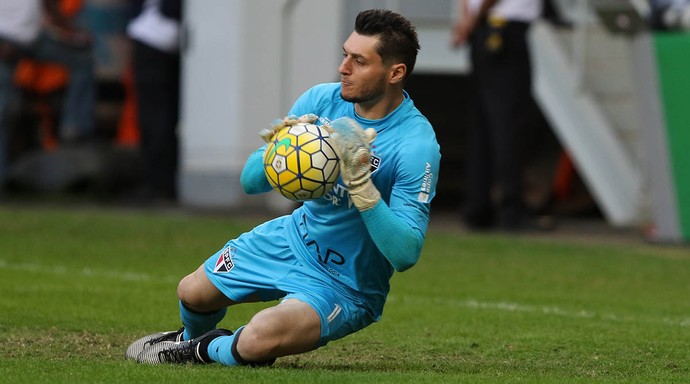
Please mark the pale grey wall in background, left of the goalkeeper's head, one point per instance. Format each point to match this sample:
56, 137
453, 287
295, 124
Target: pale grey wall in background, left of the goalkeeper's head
244, 64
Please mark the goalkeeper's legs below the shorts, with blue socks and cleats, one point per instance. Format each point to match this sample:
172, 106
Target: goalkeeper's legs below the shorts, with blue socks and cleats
289, 328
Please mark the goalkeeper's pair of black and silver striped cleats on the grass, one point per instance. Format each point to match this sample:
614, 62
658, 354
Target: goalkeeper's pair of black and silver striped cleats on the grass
180, 352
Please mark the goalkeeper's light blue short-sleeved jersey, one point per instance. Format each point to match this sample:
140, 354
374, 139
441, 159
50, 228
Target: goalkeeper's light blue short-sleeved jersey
329, 233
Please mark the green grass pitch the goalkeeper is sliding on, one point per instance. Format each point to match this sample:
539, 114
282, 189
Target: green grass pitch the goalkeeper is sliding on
78, 285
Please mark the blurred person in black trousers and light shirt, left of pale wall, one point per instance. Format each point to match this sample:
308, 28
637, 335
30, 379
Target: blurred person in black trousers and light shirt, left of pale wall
155, 35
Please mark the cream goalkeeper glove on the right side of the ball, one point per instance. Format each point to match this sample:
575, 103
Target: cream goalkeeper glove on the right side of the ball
352, 144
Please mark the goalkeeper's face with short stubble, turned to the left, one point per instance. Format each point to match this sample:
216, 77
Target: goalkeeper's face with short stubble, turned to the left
362, 72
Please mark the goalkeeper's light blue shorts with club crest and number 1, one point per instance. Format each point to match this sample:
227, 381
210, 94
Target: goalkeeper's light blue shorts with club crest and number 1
261, 265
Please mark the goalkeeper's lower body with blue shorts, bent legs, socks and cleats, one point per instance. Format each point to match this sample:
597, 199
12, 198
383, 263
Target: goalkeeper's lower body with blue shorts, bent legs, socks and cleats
294, 326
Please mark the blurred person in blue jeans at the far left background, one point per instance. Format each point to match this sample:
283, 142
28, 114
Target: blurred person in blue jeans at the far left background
40, 31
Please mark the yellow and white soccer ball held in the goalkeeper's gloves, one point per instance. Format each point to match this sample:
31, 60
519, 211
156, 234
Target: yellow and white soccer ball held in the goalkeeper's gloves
300, 162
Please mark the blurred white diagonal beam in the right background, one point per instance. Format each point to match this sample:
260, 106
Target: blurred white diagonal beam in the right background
579, 122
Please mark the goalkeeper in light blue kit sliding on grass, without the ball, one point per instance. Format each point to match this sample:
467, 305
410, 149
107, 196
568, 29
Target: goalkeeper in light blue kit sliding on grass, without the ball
330, 261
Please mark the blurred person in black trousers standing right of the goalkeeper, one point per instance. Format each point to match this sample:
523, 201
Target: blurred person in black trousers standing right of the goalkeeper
501, 79
